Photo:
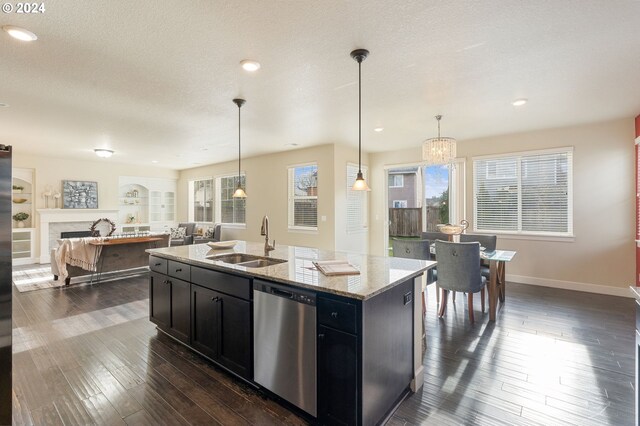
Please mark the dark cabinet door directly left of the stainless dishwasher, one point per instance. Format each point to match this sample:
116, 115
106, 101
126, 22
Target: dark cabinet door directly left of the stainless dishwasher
236, 338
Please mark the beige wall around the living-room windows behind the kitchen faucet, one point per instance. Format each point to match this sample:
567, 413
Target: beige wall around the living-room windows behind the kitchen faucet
267, 194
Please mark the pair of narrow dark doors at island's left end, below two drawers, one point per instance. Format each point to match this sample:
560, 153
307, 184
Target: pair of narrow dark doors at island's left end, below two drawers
170, 305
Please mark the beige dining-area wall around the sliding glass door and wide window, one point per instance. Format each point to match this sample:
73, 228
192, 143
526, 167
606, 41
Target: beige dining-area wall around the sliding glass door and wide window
601, 256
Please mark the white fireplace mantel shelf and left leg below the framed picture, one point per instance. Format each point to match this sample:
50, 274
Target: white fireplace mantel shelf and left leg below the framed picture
48, 216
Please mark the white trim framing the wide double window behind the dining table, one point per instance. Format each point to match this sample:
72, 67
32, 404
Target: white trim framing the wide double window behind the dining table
529, 235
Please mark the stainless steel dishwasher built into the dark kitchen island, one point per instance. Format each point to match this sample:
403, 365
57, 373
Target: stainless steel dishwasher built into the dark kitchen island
284, 343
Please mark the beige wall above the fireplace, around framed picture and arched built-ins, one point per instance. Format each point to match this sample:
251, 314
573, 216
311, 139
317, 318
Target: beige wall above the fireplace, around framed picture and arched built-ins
52, 171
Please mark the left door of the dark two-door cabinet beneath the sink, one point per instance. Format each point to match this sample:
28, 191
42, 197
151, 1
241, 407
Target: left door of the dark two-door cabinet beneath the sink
205, 321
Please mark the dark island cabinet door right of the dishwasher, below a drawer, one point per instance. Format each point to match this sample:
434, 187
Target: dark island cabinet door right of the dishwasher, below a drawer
337, 377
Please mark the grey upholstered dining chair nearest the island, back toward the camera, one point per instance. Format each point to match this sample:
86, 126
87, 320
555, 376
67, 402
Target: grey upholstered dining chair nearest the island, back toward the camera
459, 270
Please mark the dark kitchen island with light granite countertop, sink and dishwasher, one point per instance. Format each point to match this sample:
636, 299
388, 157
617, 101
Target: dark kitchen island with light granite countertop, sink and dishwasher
343, 349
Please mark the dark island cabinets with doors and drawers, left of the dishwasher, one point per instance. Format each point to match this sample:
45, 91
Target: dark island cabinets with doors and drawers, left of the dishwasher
209, 311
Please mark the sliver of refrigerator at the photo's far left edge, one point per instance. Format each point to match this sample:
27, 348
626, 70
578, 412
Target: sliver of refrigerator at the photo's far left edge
5, 285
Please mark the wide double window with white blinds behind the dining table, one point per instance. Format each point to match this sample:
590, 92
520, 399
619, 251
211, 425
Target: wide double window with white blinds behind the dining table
527, 193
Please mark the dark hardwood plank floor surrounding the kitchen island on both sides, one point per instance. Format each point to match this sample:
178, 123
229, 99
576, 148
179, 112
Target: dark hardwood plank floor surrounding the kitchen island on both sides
89, 355
